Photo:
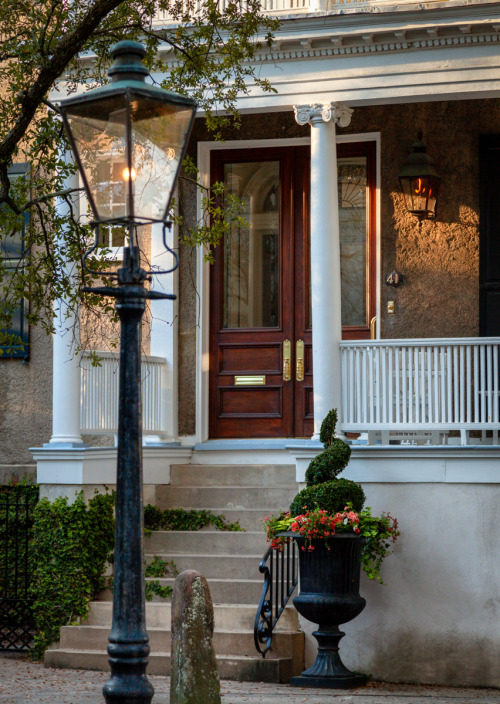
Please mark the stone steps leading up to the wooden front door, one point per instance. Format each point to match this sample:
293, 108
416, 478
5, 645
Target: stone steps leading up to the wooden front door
230, 563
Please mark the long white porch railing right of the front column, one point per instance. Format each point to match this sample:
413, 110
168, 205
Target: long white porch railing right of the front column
432, 384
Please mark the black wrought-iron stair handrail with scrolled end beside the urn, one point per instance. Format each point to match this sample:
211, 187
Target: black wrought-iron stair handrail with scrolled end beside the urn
280, 579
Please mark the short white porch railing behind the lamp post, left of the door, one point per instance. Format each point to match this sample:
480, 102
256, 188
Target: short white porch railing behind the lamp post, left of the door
99, 394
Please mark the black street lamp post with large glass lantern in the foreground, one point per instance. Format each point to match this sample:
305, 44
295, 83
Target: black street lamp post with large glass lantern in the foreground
129, 138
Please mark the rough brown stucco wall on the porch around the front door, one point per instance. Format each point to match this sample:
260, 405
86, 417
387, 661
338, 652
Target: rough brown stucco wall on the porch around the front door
439, 259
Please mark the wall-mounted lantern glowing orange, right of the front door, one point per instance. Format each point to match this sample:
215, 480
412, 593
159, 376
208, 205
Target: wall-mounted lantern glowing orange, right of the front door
420, 181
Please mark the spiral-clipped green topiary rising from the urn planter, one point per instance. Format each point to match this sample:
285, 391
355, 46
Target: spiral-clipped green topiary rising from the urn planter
323, 489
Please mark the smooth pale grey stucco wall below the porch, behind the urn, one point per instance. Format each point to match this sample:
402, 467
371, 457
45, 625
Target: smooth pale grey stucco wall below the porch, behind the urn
435, 620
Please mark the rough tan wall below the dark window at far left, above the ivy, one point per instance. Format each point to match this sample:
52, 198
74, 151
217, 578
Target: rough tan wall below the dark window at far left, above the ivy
26, 401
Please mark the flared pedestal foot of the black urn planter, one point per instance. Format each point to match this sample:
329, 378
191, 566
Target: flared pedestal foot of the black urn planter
328, 670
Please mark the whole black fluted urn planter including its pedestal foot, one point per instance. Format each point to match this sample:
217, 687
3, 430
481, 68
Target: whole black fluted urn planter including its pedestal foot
329, 596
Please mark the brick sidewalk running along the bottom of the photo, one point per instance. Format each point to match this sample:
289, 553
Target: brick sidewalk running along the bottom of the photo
22, 682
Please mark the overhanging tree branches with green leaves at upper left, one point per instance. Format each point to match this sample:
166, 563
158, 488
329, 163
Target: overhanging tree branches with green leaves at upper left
206, 50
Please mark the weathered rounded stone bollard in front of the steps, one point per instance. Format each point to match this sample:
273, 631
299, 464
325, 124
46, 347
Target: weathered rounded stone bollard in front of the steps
194, 676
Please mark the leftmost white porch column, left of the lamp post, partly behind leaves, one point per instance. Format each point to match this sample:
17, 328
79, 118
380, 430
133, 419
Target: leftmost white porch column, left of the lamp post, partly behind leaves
65, 363
